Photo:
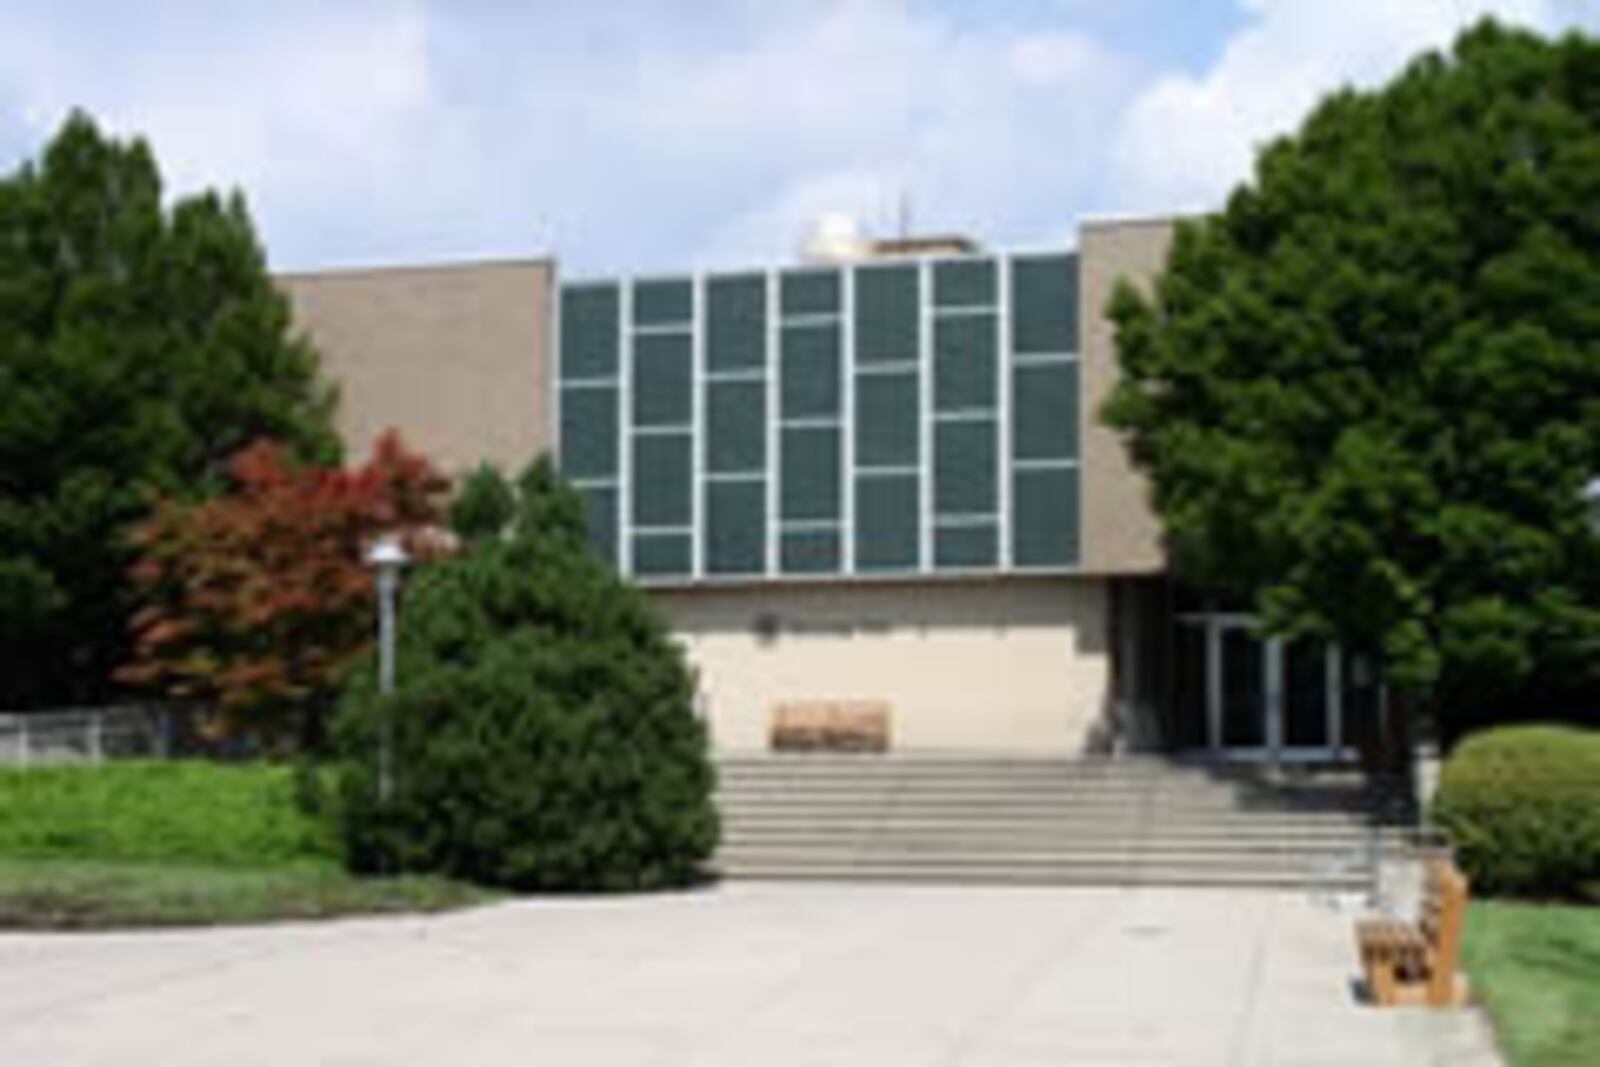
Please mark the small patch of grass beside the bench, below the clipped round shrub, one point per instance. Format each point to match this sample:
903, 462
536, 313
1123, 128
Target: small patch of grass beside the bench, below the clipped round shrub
1538, 972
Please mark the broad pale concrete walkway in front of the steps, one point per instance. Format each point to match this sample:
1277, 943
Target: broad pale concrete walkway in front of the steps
748, 977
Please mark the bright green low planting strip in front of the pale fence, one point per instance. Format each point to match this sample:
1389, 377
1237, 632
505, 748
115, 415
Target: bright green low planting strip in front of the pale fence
186, 813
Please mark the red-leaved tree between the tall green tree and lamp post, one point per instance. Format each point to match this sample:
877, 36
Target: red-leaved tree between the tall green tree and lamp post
258, 599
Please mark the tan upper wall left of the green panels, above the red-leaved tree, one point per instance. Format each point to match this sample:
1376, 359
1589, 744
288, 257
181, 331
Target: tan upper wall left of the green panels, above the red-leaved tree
457, 358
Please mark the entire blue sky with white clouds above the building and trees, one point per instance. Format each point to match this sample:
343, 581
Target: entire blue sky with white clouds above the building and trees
652, 135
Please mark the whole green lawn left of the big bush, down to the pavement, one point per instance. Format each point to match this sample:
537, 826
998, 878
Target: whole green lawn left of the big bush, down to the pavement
180, 844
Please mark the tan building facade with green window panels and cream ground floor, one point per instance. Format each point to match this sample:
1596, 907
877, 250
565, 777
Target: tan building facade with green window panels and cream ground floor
873, 484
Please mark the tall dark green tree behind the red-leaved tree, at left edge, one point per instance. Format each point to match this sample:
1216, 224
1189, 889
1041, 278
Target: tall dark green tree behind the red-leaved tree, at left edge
142, 345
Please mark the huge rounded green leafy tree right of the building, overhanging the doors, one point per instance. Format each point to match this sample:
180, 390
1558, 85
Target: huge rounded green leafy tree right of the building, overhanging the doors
1369, 391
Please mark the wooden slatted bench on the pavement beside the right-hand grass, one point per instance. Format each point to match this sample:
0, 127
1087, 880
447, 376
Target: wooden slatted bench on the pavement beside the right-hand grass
1417, 964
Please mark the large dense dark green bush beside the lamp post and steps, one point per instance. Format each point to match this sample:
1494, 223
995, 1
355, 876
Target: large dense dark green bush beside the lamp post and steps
543, 730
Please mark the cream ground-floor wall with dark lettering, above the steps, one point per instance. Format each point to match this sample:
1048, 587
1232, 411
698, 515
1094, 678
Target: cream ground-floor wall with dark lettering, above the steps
1004, 666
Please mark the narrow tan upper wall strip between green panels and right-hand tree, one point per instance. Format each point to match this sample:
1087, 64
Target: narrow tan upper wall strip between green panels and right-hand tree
1121, 535
